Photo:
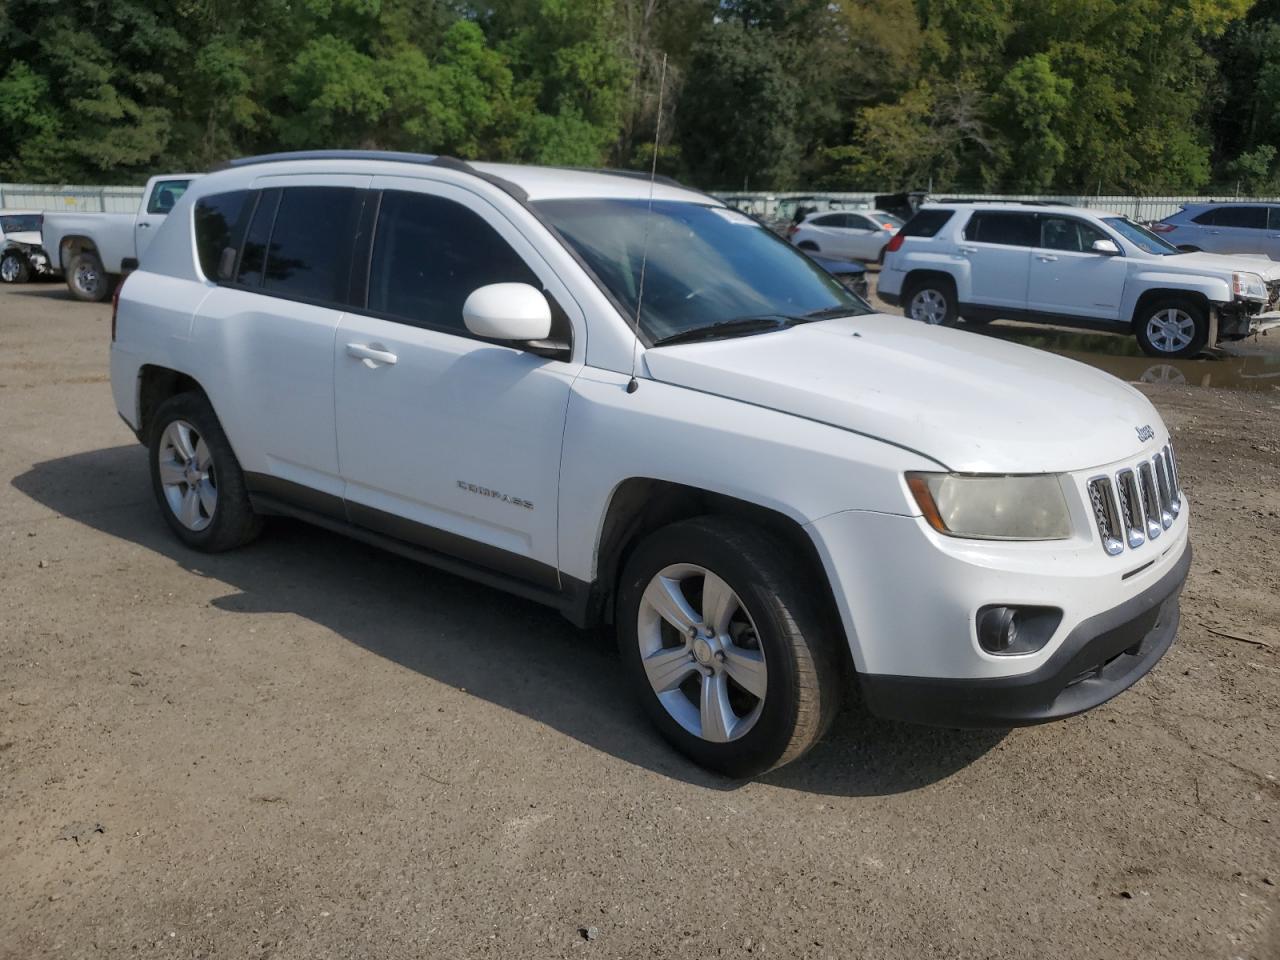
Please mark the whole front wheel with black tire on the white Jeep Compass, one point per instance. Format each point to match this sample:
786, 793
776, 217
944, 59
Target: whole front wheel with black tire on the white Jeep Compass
734, 661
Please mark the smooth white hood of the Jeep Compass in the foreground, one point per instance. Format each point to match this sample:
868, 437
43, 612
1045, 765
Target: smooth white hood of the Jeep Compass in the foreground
970, 403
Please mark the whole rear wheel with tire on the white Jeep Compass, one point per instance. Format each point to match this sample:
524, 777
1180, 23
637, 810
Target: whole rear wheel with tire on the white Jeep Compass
196, 478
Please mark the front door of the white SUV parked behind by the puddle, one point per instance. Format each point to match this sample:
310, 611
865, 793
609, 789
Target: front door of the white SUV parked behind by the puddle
1068, 277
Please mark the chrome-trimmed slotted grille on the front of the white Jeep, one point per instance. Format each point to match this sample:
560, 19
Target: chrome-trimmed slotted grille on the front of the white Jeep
1139, 504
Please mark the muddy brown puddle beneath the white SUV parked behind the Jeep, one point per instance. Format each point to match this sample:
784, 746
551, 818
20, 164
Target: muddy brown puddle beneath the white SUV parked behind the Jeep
1250, 365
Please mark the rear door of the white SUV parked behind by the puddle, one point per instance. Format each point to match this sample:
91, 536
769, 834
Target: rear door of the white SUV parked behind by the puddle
999, 248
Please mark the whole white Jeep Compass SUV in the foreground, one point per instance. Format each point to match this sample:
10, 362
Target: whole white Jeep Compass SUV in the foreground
648, 410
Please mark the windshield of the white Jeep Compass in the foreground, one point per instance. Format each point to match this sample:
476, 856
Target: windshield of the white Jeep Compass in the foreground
706, 266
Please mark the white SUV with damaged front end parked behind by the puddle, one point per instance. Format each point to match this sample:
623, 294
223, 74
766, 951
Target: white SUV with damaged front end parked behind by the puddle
1075, 267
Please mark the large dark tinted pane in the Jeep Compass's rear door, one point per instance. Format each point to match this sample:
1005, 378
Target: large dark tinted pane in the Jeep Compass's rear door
309, 255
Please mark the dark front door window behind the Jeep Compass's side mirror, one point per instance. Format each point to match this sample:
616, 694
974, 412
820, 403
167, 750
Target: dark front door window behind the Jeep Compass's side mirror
431, 254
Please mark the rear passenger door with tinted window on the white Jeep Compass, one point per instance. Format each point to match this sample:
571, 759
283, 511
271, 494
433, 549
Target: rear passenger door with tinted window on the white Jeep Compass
272, 328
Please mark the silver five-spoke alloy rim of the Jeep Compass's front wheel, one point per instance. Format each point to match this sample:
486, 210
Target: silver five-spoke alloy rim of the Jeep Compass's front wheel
702, 653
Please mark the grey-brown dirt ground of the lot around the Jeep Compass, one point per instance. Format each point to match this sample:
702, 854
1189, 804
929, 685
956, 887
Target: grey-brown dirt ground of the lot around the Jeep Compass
312, 749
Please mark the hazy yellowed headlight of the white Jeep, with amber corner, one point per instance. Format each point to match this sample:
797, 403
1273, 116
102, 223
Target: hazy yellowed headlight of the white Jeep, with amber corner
994, 508
